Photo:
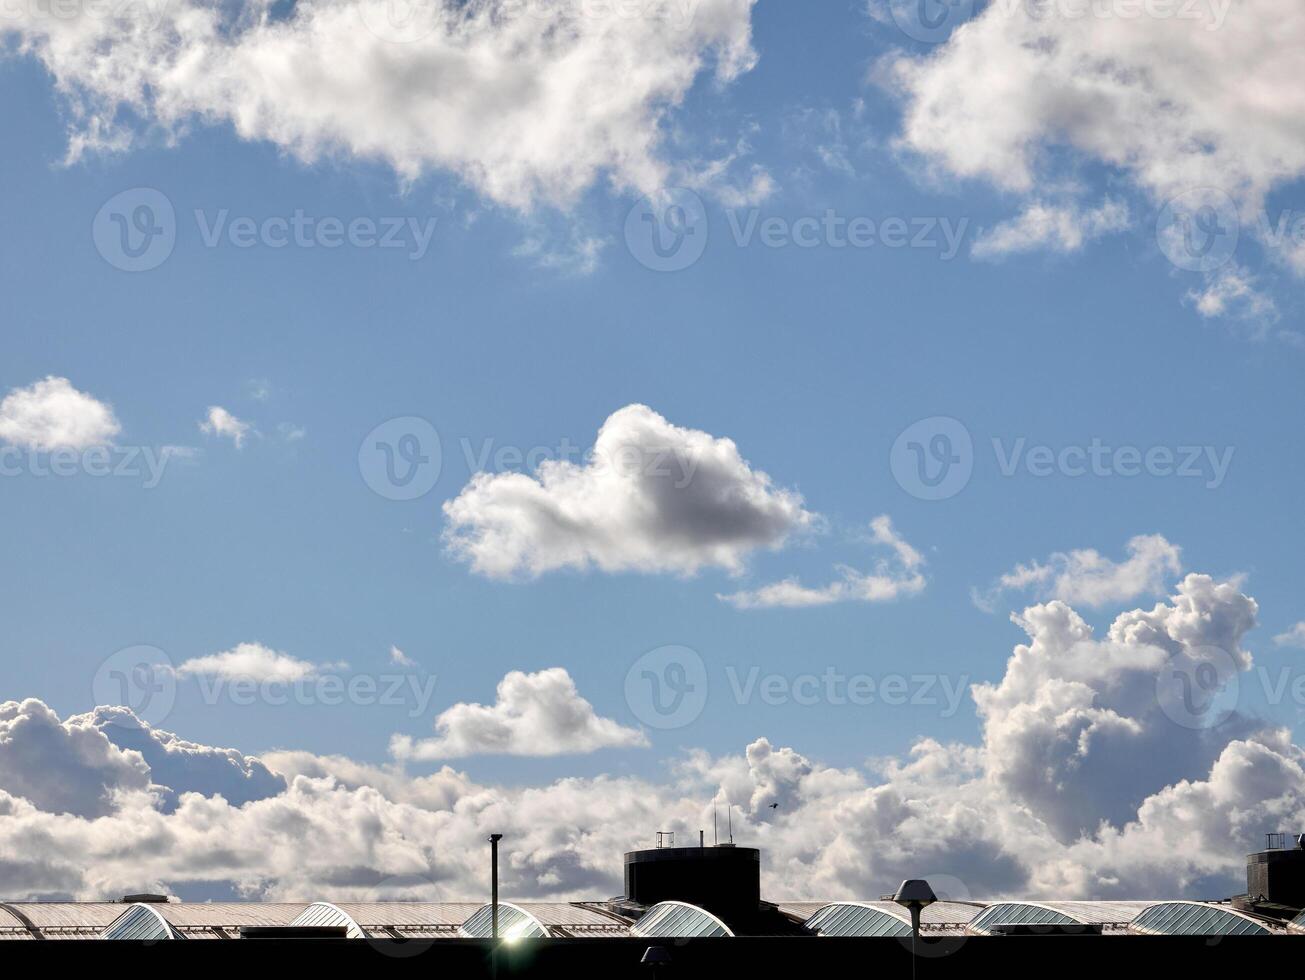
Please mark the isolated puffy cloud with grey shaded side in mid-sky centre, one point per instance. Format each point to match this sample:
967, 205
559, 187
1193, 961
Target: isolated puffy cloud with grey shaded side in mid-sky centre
649, 498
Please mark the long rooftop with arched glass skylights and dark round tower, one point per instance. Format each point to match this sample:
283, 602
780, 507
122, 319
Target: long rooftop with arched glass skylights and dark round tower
682, 893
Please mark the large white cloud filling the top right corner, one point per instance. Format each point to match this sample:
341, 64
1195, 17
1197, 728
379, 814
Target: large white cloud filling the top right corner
1028, 96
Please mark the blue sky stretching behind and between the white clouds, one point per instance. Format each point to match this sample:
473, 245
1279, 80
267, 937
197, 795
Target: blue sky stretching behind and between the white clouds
528, 327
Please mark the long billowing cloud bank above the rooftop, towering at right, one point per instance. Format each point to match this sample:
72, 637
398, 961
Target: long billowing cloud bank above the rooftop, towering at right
1082, 785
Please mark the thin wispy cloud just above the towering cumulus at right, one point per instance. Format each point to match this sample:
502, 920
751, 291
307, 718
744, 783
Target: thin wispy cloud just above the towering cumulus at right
1086, 577
